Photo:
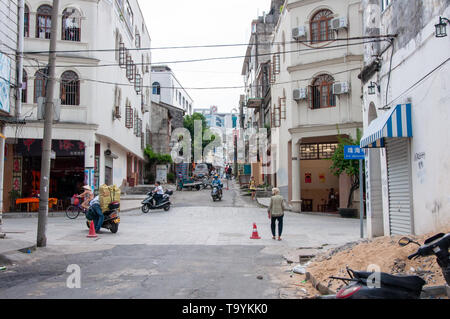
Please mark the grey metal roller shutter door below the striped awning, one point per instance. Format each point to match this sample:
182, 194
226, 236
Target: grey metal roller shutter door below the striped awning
399, 186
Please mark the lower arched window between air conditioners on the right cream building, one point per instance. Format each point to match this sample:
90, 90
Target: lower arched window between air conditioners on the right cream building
321, 92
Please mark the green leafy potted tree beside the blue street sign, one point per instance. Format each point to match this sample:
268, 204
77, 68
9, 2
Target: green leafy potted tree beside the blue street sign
349, 167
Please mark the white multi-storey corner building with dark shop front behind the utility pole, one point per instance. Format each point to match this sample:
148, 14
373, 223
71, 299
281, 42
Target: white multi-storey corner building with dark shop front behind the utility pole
104, 96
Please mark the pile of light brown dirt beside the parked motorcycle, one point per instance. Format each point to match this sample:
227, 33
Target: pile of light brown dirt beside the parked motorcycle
383, 253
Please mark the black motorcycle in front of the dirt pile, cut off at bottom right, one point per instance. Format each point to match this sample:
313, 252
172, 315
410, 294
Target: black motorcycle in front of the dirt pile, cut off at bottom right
389, 286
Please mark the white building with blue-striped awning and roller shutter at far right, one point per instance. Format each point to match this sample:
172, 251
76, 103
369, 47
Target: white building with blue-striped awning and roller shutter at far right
405, 112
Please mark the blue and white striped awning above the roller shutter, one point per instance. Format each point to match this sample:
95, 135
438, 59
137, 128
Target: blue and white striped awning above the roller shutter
397, 122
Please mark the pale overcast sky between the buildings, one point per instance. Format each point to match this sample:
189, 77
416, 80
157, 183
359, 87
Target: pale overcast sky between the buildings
203, 22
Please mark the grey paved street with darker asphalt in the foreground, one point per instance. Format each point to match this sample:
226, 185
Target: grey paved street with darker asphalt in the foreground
199, 249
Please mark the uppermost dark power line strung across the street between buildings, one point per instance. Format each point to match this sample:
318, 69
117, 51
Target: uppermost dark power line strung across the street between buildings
216, 45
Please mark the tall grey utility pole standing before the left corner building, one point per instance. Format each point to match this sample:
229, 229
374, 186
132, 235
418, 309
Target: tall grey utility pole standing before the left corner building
47, 141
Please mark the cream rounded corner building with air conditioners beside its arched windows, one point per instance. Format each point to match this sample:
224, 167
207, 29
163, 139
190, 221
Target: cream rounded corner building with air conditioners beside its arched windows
316, 95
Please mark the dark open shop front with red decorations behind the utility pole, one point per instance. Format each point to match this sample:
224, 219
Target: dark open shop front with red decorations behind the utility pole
67, 174
